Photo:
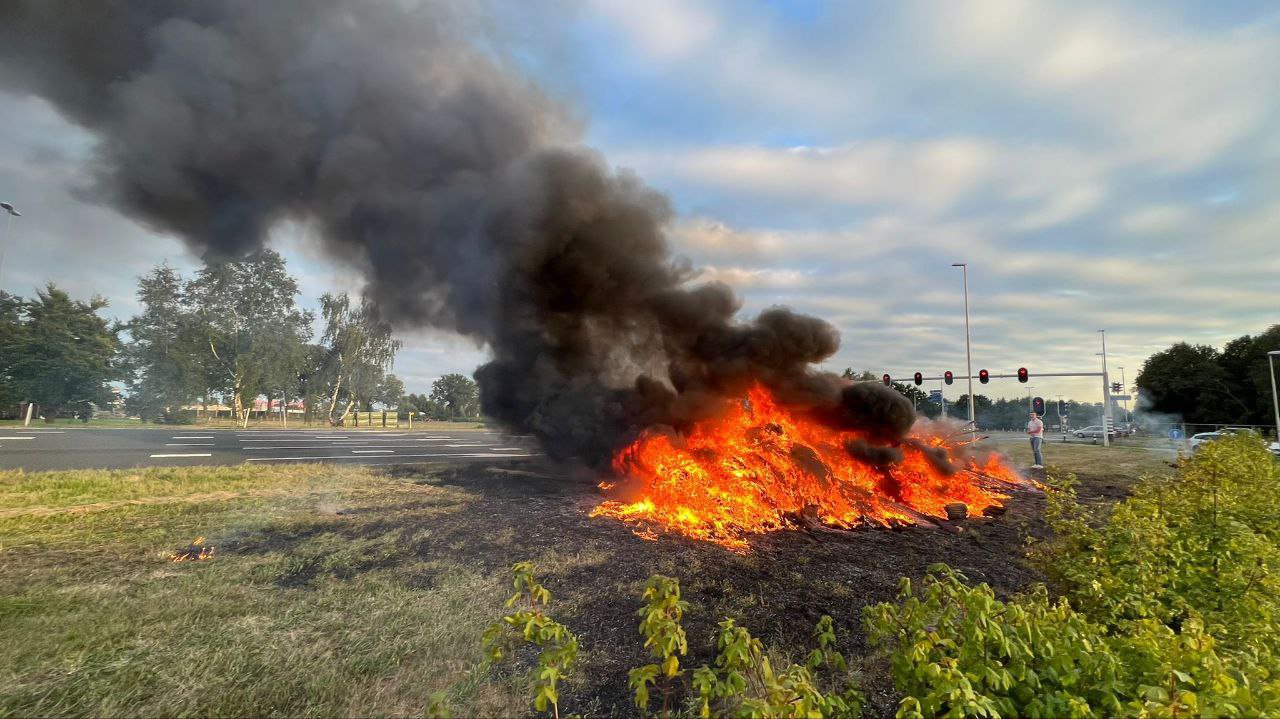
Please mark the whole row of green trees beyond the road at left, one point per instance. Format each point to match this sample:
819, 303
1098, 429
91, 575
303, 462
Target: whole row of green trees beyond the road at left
228, 335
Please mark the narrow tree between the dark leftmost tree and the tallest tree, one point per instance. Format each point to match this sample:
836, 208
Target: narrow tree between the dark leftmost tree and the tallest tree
164, 356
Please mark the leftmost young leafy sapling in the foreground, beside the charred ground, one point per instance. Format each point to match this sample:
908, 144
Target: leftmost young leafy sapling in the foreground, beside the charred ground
529, 625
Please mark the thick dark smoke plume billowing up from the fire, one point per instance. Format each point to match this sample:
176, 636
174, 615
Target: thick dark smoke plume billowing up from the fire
450, 181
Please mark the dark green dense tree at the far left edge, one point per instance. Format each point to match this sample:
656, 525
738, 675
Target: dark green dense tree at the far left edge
62, 355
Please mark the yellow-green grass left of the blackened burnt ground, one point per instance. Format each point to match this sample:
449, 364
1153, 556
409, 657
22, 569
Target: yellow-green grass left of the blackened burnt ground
304, 611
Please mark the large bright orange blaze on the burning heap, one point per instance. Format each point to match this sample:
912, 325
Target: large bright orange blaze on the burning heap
762, 469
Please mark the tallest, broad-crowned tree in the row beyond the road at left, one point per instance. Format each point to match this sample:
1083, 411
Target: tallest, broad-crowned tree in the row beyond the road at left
248, 322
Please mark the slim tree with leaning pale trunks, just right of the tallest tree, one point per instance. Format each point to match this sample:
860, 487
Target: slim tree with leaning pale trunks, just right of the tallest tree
360, 350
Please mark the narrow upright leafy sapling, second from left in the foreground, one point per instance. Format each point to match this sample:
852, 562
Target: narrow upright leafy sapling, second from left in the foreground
665, 639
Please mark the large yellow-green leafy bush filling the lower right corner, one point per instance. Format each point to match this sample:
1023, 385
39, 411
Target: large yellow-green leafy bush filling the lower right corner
1169, 608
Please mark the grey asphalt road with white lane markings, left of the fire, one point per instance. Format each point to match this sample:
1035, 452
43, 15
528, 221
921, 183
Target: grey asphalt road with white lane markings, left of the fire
38, 450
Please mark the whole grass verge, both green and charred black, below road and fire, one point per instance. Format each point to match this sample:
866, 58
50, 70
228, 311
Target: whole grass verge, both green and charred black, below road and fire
360, 592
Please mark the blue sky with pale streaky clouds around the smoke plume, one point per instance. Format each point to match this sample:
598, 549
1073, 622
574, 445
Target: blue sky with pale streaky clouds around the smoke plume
1100, 166
